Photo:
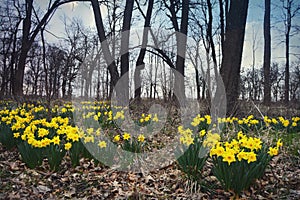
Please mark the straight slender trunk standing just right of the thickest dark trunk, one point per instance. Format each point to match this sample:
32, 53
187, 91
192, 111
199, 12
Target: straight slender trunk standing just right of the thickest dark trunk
267, 53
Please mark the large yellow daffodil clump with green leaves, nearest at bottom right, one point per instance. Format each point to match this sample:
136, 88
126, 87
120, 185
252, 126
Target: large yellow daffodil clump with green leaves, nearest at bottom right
237, 163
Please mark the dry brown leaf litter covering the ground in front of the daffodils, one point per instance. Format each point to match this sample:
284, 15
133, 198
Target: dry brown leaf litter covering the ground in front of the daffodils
87, 181
